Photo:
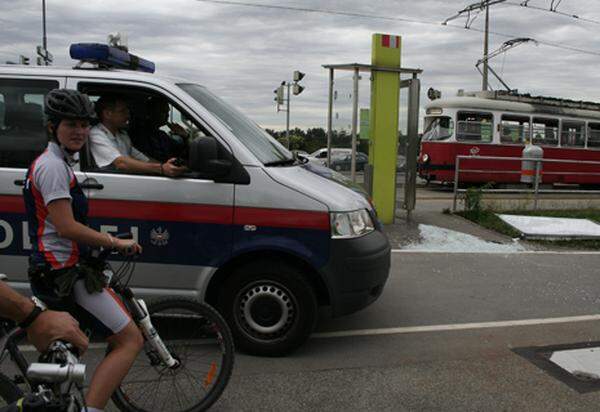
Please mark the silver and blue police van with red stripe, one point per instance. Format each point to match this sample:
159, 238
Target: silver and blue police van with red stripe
262, 235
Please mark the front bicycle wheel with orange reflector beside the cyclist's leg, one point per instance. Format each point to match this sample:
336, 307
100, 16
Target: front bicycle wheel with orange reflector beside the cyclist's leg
187, 327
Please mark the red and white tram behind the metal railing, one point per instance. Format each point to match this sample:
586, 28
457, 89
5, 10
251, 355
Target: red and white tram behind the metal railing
500, 124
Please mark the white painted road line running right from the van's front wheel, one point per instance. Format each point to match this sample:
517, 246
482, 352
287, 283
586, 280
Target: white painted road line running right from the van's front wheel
456, 326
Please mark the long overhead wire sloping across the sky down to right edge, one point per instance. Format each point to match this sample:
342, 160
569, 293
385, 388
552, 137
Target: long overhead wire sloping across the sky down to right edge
404, 19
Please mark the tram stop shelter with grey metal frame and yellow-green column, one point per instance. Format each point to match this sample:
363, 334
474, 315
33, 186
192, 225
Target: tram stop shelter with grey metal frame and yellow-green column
381, 174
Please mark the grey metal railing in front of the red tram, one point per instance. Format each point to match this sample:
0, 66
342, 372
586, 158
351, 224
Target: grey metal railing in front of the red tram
535, 189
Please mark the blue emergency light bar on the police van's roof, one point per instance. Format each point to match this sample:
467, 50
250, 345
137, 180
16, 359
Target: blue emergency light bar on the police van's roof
105, 55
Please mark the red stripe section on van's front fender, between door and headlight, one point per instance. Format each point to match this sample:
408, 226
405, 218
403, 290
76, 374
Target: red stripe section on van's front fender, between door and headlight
282, 218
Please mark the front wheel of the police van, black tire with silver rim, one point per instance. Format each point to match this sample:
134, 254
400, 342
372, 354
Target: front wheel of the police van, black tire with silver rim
270, 307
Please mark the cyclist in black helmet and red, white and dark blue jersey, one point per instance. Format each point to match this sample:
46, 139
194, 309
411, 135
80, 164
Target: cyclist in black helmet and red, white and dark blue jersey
61, 271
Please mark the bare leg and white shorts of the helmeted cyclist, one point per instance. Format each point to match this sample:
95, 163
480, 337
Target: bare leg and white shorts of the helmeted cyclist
113, 321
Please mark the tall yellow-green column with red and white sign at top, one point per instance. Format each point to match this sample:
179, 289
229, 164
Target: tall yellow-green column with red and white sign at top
385, 90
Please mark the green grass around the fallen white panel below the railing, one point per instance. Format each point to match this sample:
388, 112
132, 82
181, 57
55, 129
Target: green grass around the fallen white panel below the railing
489, 220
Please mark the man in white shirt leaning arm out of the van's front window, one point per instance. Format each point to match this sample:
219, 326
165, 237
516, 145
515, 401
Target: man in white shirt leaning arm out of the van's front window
111, 146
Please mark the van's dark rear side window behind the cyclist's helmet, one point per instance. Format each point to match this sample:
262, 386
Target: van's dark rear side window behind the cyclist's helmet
22, 128
